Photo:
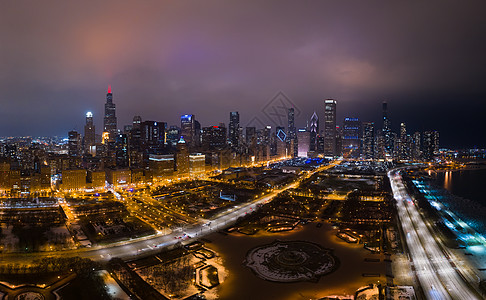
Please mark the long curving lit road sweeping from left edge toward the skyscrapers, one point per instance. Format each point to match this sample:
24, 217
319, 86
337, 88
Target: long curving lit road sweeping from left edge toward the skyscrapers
131, 249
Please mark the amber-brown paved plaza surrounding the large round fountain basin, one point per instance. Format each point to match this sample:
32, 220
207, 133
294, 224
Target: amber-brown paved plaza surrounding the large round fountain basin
243, 284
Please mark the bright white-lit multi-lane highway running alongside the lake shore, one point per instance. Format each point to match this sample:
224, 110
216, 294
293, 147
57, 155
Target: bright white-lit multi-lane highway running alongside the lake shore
436, 274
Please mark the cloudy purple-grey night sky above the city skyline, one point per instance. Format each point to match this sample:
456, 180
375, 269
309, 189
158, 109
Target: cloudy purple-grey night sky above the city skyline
427, 59
